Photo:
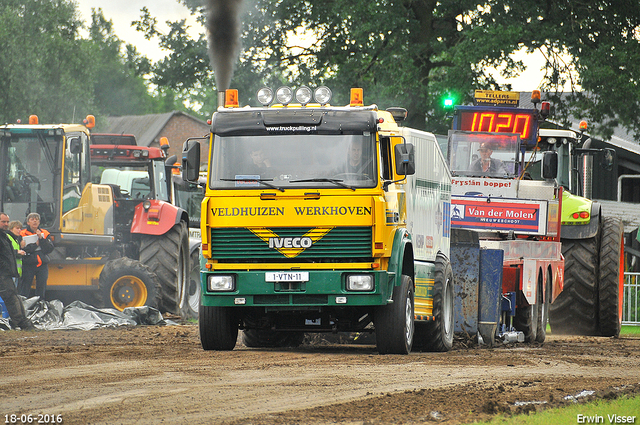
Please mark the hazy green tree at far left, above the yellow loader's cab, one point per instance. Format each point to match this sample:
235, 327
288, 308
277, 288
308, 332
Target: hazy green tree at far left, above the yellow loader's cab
43, 66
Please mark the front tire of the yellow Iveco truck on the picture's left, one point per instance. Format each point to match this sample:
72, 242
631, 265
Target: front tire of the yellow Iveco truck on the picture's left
218, 328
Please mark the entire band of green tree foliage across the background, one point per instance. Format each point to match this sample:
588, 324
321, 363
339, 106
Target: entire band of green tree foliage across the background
410, 53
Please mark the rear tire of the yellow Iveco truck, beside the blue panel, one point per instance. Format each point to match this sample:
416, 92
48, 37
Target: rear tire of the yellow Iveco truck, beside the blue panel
437, 335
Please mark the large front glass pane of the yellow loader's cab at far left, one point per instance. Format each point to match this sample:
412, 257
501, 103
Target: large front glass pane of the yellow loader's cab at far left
29, 176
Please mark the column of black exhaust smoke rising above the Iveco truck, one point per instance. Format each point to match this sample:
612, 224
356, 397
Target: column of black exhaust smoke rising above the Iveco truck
223, 30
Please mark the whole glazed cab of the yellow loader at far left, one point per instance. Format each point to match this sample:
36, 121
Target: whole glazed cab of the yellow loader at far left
43, 169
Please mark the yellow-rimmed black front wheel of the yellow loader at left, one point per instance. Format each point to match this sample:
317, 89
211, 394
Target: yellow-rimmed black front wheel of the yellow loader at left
128, 283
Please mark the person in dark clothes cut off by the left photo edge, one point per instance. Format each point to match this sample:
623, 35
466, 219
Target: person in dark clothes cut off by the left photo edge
9, 270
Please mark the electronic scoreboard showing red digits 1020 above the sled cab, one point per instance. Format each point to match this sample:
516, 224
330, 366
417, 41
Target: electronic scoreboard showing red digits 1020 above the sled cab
498, 120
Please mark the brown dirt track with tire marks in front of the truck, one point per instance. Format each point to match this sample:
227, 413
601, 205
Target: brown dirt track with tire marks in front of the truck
162, 375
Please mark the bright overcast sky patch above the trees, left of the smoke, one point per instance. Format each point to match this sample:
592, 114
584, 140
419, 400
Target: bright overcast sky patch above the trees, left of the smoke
122, 12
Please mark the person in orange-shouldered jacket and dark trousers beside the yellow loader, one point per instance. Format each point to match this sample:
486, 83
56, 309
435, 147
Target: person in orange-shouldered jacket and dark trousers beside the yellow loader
35, 263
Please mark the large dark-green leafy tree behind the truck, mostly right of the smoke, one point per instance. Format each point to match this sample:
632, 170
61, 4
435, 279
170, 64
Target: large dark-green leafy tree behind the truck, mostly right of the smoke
415, 53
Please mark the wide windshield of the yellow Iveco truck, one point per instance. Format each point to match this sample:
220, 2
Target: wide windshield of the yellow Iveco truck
293, 161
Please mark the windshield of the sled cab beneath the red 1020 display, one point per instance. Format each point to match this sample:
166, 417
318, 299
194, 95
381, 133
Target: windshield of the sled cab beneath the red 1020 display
477, 154
